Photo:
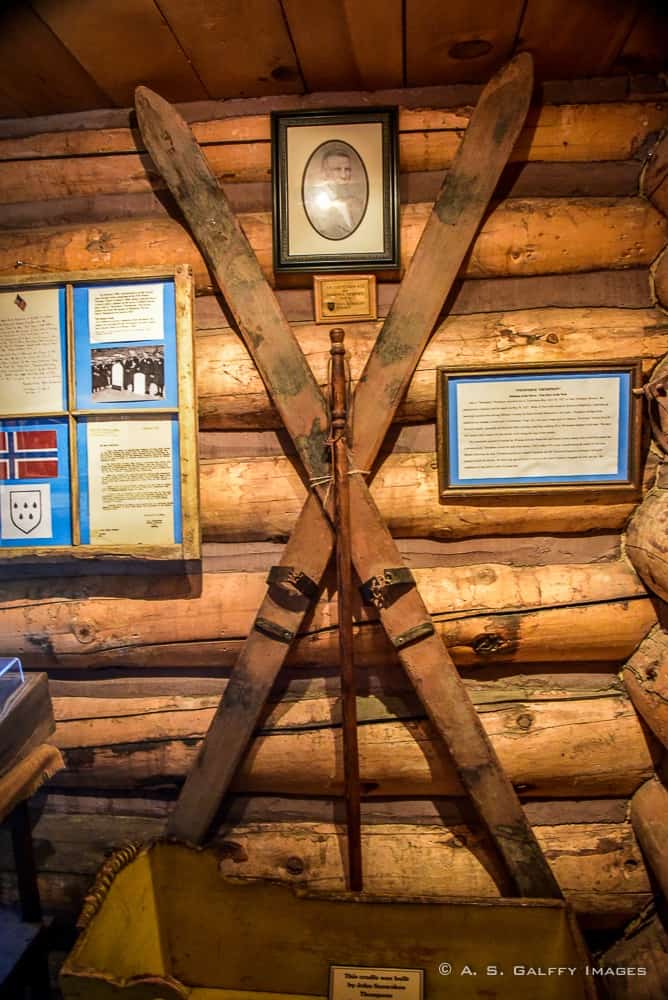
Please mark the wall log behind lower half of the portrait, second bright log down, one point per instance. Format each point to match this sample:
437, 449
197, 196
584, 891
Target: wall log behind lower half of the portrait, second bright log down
519, 237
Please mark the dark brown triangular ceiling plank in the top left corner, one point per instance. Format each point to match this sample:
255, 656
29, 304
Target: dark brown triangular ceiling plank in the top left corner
37, 73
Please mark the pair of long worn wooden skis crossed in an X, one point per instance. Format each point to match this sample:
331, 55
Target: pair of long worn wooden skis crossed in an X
456, 215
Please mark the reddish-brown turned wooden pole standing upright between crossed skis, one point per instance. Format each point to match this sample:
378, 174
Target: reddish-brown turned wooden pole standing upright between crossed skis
344, 578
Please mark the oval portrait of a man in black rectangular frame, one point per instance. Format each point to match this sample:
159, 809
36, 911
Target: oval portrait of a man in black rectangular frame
336, 204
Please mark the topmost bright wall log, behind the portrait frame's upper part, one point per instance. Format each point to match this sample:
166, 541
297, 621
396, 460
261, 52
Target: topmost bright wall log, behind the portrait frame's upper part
88, 164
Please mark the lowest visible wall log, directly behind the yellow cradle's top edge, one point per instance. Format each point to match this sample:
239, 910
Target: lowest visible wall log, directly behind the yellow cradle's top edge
598, 865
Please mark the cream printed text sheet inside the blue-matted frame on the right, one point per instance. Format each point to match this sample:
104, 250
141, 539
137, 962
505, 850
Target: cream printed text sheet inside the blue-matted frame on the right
538, 427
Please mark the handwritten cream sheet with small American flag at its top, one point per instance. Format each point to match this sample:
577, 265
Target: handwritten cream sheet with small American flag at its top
31, 362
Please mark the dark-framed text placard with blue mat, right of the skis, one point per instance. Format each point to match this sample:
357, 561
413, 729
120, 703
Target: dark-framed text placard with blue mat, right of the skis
539, 428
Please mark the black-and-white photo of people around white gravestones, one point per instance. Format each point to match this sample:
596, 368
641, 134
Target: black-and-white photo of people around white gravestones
127, 373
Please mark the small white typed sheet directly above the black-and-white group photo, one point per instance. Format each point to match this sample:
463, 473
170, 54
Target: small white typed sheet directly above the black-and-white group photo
125, 312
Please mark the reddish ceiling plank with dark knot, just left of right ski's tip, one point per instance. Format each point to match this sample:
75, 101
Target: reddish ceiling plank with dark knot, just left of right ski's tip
458, 42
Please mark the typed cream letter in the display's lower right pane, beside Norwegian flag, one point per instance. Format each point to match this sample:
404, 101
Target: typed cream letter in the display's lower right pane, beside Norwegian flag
130, 490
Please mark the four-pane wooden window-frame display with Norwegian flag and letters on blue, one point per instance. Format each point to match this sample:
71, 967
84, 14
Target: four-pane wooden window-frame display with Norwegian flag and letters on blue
98, 417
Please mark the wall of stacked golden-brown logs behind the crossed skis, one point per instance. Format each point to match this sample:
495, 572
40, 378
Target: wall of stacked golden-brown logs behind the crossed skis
537, 601
